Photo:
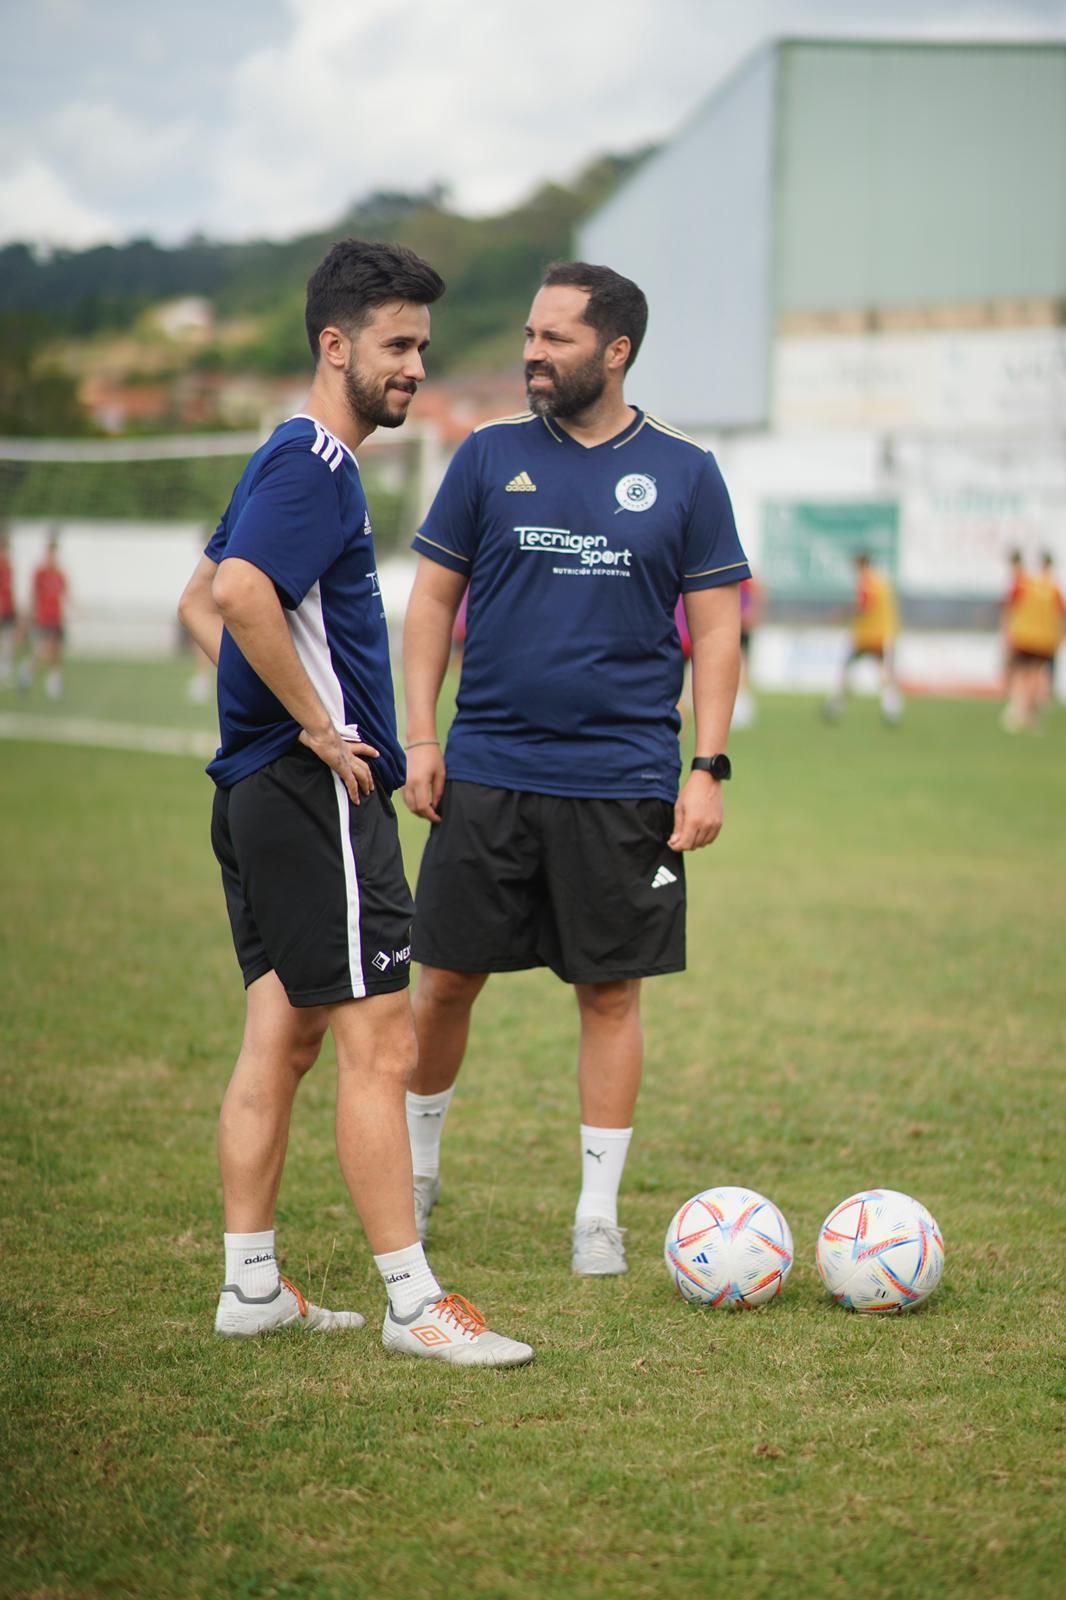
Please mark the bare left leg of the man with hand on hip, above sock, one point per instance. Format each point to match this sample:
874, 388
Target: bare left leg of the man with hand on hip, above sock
279, 1047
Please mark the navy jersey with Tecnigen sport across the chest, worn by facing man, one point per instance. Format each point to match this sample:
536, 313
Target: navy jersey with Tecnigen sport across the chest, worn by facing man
572, 666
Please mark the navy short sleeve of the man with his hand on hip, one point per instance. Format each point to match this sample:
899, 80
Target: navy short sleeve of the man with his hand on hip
291, 526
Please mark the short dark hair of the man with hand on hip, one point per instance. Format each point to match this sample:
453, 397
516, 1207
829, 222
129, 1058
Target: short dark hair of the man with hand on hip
356, 278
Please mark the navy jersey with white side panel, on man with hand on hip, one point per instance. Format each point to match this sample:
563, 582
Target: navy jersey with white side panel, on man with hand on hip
300, 516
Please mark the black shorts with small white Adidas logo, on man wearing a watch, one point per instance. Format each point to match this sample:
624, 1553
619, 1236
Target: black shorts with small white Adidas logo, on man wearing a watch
587, 887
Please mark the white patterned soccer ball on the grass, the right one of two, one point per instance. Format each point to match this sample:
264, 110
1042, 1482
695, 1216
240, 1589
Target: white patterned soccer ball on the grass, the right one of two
880, 1252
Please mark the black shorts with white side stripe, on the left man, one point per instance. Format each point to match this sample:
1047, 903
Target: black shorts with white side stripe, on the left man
315, 886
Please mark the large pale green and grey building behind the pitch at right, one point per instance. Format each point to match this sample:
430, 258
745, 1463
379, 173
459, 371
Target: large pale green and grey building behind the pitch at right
856, 258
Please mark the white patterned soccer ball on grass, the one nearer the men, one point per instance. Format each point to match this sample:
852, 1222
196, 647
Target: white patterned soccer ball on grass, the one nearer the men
729, 1247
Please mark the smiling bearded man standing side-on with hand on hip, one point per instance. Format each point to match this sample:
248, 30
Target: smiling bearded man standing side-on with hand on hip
286, 601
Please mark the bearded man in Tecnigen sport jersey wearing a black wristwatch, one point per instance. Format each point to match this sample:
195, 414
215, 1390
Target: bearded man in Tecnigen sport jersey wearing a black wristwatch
558, 826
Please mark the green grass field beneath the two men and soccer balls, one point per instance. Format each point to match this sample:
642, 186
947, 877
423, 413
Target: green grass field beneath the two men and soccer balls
875, 998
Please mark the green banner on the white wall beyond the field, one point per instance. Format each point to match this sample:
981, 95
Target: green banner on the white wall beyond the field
809, 548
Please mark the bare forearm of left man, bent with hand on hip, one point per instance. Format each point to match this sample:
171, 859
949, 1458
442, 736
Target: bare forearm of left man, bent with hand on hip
255, 620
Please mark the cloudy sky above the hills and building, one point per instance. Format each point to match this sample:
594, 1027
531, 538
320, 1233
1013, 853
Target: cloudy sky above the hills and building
247, 119
